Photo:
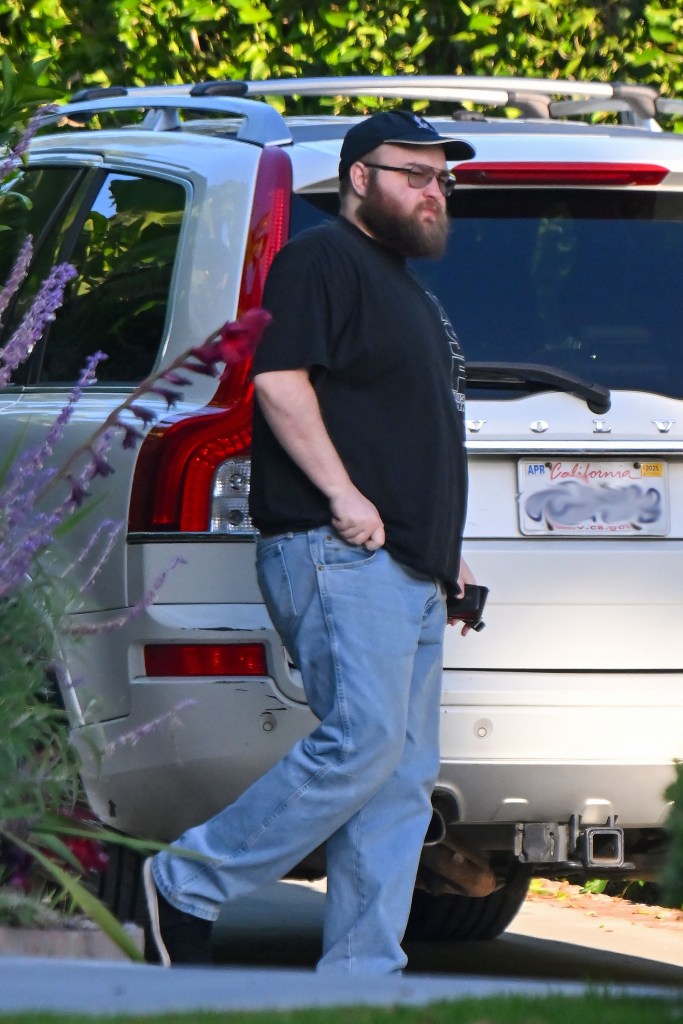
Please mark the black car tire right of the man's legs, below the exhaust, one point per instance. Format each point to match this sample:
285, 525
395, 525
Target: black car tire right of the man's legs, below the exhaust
453, 918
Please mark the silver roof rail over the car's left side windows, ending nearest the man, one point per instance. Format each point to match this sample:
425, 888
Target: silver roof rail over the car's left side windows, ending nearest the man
262, 124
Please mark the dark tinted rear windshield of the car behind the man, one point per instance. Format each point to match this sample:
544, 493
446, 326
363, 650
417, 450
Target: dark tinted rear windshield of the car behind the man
584, 281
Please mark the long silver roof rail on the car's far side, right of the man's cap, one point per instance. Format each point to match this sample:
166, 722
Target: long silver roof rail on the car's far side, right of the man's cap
534, 97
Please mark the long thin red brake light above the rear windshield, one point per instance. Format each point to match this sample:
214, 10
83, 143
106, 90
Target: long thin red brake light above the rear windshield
509, 174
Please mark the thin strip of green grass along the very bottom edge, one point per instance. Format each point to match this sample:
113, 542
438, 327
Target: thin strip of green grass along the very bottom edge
590, 1009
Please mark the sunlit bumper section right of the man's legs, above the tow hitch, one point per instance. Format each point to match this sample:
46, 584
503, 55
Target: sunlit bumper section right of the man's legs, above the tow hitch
539, 747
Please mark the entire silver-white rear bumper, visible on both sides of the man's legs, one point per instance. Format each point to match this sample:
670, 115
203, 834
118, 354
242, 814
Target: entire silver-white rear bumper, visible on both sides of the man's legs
517, 747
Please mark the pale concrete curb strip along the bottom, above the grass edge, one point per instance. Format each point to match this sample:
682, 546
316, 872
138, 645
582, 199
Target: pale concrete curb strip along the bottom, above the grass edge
99, 989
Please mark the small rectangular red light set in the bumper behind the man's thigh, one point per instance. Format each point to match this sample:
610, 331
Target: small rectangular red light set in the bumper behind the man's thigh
205, 660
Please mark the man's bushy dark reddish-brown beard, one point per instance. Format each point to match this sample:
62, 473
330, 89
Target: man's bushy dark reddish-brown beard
404, 235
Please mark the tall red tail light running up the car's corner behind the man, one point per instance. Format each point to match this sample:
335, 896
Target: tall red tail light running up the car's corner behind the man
179, 459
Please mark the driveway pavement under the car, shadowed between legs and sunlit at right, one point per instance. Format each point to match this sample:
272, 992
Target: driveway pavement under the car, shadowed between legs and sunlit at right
549, 940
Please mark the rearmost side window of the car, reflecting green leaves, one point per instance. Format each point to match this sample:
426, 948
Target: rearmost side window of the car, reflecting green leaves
124, 246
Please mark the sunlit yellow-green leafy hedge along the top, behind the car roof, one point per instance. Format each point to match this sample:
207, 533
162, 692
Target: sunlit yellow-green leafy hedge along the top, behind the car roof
137, 42
